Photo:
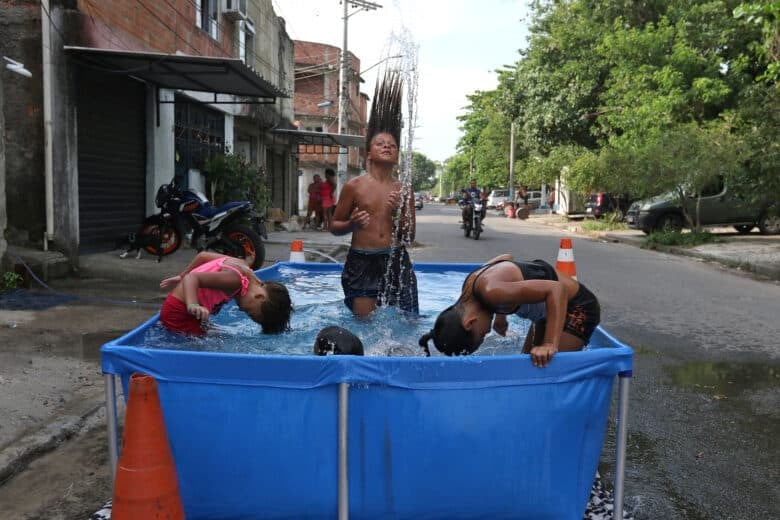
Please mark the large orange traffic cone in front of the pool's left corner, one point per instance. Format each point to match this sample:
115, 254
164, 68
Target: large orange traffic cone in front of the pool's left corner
145, 485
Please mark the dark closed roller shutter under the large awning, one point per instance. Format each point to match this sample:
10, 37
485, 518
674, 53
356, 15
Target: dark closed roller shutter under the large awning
111, 158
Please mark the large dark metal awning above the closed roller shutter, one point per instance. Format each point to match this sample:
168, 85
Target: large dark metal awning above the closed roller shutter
219, 75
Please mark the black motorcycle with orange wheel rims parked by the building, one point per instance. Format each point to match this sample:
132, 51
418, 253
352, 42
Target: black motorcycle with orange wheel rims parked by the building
233, 229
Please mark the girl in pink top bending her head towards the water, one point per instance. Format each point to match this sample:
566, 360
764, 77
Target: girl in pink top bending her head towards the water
212, 279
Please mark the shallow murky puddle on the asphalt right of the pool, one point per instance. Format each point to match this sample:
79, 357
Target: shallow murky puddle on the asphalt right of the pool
725, 378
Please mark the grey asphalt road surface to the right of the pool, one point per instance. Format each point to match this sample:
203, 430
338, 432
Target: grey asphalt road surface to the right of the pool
704, 414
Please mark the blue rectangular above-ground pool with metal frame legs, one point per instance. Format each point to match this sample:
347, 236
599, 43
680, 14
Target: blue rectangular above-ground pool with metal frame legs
488, 437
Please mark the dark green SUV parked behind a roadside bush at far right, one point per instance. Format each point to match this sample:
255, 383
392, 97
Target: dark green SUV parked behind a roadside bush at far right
719, 207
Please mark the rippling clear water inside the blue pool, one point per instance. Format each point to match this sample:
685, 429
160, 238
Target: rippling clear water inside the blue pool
318, 302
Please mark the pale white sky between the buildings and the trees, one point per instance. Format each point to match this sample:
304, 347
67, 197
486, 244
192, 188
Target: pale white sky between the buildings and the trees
460, 45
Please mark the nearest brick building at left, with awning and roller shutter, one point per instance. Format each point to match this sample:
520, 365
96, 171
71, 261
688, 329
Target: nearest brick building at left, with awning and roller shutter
125, 95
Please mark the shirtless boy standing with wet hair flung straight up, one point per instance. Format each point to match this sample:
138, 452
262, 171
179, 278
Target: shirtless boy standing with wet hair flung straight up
379, 212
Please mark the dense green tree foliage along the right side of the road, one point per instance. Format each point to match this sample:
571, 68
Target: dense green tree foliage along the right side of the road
635, 97
